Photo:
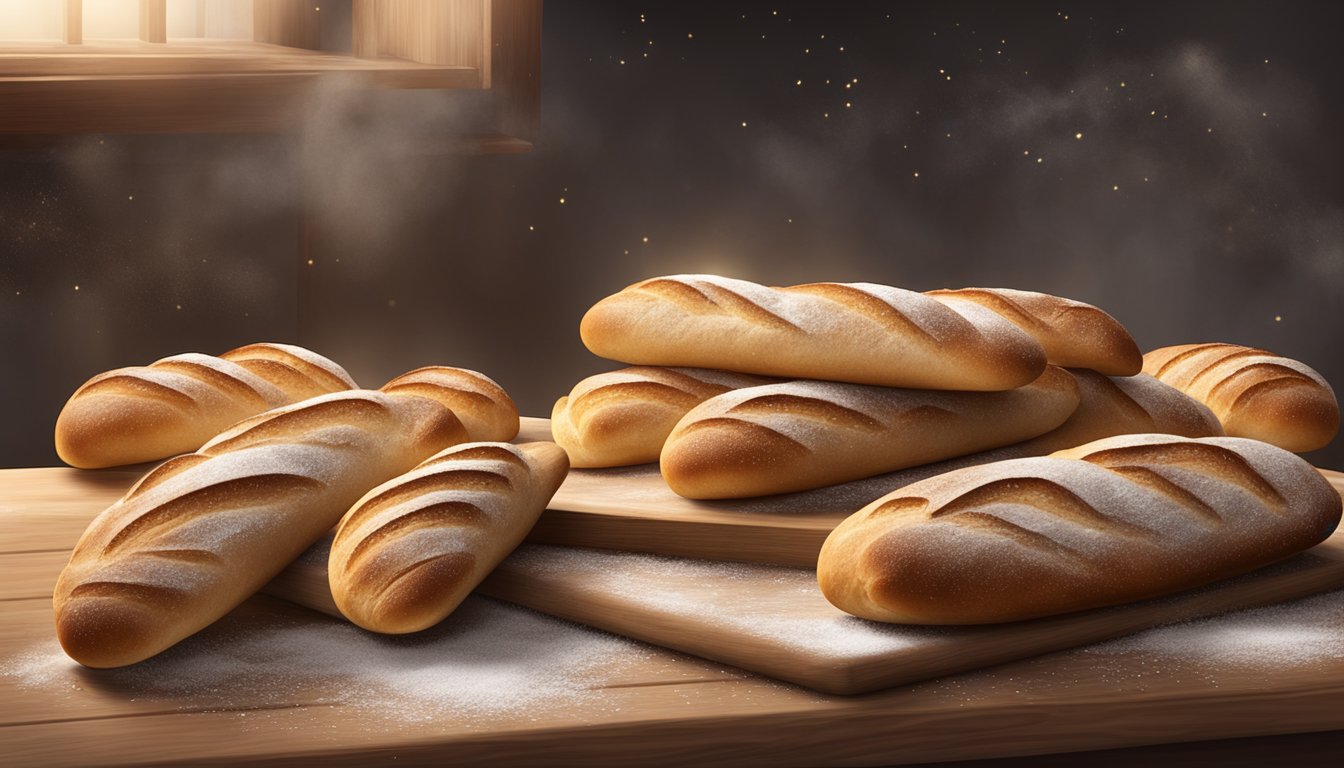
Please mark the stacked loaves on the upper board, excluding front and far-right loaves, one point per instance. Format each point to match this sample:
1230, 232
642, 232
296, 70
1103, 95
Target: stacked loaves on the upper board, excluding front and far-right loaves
866, 380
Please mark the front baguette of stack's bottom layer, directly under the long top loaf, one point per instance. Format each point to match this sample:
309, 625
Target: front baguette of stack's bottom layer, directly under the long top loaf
804, 435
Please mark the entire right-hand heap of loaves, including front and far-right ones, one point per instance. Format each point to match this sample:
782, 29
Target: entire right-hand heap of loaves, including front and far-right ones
1142, 496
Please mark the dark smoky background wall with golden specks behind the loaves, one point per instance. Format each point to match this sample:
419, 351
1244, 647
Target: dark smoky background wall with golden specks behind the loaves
1204, 201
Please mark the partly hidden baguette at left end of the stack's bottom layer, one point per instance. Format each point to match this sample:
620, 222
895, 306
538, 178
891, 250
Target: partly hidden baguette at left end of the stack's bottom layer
624, 418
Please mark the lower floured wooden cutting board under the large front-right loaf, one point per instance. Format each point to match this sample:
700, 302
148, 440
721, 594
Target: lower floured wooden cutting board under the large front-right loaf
775, 621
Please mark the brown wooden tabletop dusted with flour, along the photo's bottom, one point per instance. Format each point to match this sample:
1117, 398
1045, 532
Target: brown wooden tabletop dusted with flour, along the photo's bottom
282, 685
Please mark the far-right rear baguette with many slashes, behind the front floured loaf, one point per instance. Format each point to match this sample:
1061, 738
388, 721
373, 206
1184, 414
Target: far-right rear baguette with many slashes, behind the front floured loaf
1253, 393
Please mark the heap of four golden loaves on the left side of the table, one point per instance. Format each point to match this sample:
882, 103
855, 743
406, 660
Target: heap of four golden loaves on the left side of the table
427, 497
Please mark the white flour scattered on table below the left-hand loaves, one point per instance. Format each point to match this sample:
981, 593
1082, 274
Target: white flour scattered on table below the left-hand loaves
487, 661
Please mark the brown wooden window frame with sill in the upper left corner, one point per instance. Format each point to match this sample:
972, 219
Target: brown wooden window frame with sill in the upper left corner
228, 87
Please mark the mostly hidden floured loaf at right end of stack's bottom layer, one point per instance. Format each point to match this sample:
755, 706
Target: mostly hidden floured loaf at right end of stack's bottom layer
1124, 406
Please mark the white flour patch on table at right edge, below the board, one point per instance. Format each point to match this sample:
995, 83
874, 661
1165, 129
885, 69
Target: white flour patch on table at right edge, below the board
1288, 636
